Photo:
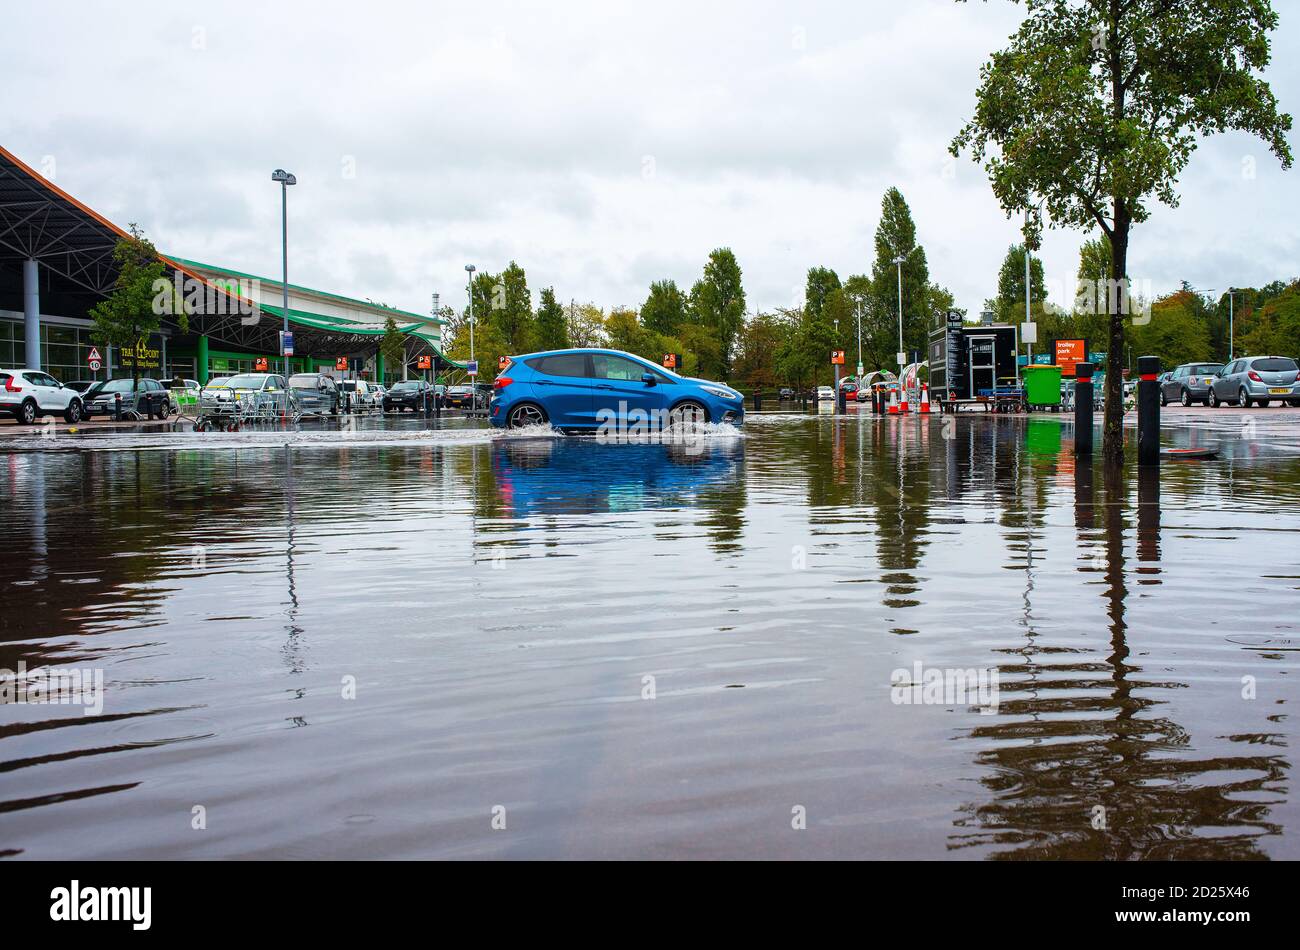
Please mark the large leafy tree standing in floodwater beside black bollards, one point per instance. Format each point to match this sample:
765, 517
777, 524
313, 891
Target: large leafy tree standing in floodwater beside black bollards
1097, 107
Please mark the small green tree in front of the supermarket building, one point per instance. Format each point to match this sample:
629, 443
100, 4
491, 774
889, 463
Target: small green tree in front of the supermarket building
141, 296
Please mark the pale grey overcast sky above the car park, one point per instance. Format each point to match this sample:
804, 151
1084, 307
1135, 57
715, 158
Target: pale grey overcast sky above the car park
600, 145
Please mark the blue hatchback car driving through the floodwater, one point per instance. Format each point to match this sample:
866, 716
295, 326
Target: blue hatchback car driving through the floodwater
590, 389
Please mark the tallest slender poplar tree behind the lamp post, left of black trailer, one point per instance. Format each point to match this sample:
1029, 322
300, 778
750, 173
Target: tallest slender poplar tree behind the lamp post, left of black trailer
896, 237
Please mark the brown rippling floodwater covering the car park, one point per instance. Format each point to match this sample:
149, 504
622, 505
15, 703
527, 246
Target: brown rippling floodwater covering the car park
398, 644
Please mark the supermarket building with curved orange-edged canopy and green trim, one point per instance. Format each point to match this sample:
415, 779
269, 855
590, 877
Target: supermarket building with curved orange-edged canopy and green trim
57, 263
